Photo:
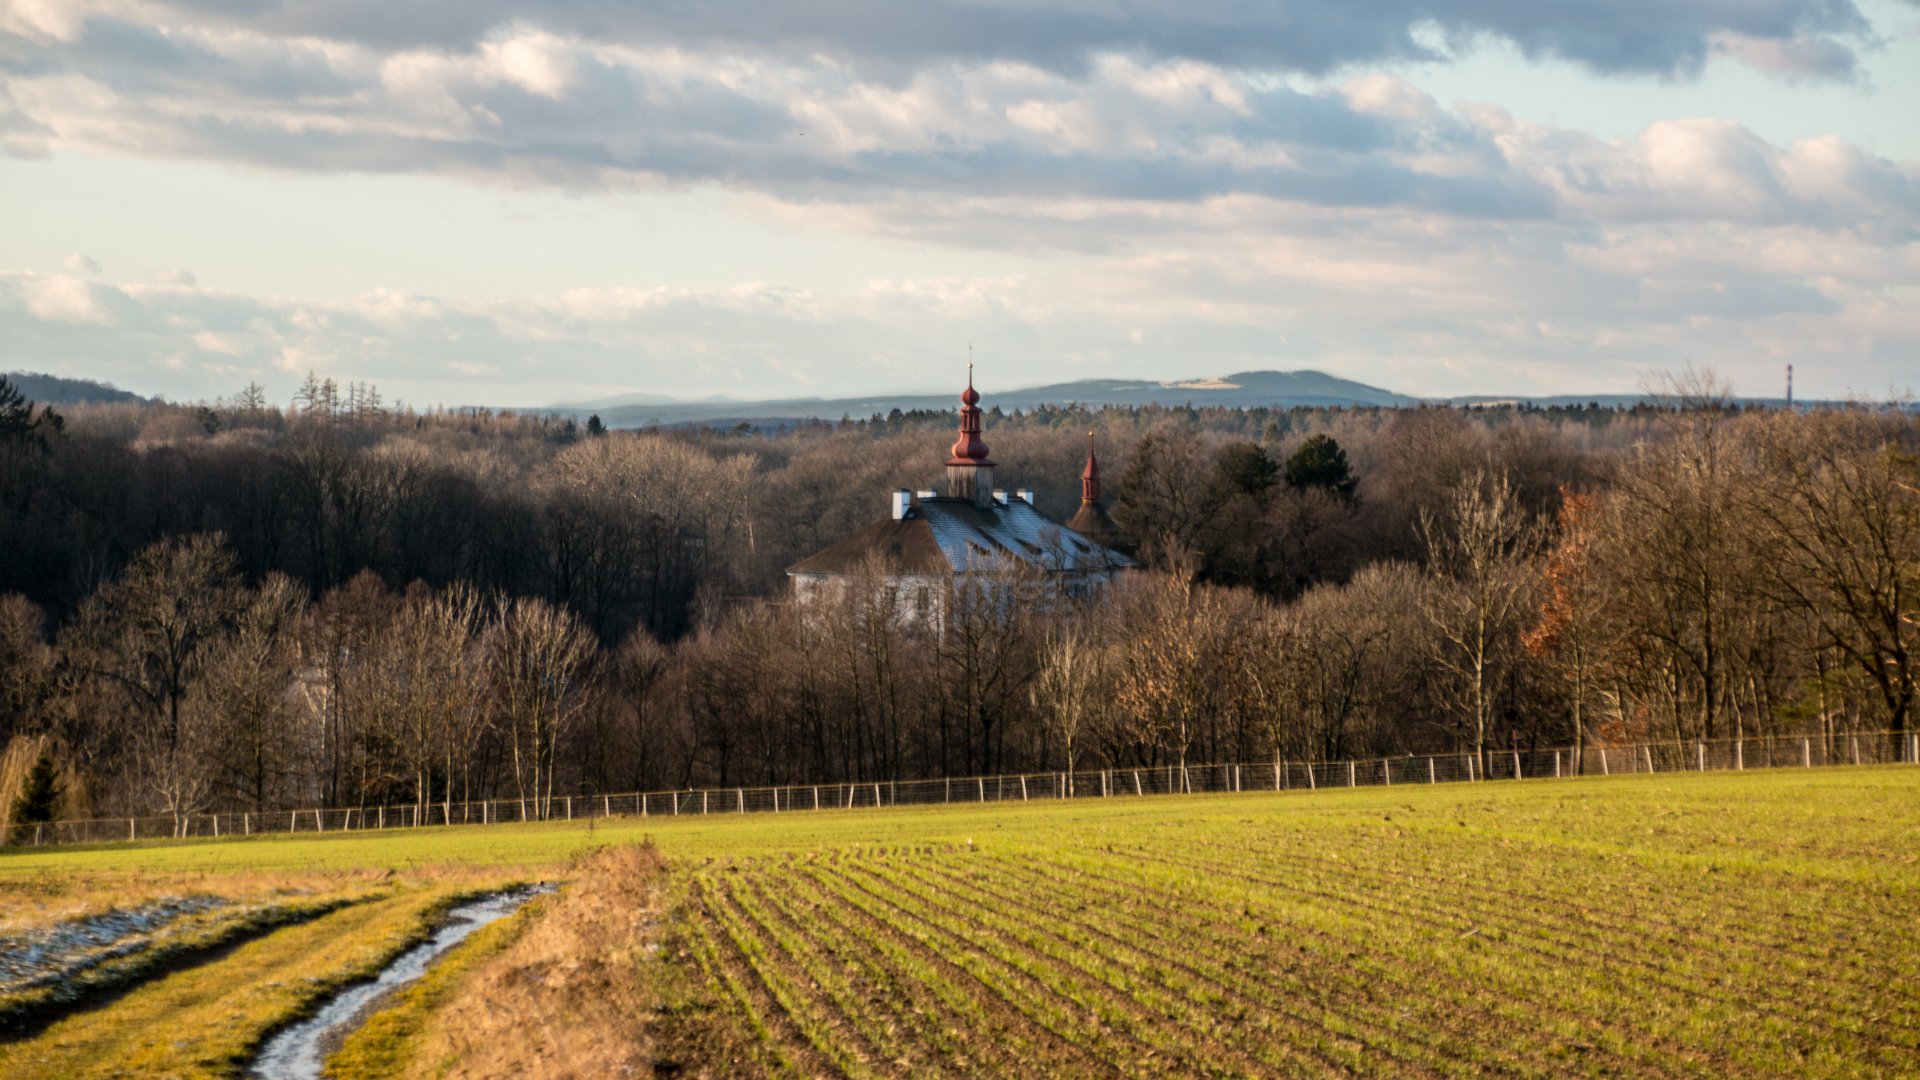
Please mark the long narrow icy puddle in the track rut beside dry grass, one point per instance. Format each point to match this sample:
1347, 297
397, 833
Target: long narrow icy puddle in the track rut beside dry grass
300, 1052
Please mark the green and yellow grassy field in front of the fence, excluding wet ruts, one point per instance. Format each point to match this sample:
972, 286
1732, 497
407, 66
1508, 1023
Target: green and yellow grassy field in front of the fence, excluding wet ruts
1717, 923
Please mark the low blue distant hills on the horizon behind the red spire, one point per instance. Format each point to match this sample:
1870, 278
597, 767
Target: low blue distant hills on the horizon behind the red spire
1274, 389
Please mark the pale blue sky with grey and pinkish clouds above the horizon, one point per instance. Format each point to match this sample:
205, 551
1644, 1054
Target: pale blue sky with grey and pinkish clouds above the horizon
516, 205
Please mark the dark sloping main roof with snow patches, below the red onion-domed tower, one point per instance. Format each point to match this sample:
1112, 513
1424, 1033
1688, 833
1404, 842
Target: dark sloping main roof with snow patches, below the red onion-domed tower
942, 537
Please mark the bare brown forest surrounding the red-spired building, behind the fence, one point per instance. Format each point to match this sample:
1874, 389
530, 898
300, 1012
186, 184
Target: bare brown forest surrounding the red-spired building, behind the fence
343, 602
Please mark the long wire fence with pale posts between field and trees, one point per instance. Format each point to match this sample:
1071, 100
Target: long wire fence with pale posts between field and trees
1595, 760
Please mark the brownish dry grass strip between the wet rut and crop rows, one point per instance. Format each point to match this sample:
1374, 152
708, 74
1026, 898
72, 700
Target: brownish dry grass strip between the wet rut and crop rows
564, 996
